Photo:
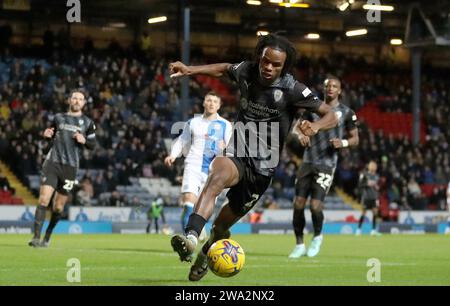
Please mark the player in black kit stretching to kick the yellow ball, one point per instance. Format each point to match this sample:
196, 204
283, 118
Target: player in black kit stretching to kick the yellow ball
270, 97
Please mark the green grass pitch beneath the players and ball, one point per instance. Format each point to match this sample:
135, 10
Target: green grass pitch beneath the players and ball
149, 260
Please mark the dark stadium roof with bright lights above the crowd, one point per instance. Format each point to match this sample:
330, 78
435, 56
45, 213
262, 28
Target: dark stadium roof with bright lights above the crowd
327, 17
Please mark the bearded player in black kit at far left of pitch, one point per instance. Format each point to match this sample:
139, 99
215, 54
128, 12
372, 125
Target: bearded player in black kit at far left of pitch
70, 133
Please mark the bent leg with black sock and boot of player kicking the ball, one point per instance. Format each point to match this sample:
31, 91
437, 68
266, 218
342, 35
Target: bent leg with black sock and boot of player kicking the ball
223, 174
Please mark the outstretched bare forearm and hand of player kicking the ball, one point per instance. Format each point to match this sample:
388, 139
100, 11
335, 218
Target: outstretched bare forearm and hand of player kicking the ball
178, 69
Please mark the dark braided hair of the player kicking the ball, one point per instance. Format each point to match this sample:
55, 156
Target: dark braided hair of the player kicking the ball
277, 42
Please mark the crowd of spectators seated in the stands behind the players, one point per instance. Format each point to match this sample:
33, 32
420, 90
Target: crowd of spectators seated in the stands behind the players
134, 103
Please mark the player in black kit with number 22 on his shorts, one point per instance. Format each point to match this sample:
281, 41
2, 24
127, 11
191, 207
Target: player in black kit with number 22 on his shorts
315, 175
